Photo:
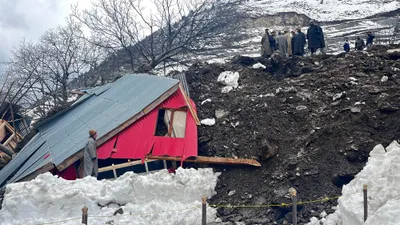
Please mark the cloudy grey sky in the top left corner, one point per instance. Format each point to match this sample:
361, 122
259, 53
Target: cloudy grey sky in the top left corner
29, 19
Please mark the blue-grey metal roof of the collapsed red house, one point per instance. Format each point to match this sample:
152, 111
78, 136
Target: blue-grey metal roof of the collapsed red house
102, 108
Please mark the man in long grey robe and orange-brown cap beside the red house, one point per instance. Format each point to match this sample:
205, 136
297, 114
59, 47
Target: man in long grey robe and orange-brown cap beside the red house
91, 166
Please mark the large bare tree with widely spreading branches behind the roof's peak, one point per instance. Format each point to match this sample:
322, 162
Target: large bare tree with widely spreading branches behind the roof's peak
163, 31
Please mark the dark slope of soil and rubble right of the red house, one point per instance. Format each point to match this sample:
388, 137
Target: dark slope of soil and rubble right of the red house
310, 121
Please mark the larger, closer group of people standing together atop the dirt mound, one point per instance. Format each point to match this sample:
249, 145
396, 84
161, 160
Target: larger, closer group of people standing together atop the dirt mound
293, 43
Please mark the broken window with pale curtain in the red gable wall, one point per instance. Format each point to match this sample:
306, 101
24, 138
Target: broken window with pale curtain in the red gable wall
171, 123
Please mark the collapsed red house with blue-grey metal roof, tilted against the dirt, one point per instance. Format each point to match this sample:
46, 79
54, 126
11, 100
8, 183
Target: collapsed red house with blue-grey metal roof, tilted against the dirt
138, 117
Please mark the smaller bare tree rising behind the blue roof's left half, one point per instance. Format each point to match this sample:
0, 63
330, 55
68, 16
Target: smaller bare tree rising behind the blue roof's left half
64, 55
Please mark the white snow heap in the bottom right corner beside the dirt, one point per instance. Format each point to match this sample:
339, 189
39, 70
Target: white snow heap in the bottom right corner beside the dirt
382, 179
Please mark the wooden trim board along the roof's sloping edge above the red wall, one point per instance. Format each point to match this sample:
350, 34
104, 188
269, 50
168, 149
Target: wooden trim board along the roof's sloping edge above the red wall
121, 127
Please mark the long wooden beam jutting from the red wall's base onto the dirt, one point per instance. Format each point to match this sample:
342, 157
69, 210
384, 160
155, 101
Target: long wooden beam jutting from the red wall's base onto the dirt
211, 160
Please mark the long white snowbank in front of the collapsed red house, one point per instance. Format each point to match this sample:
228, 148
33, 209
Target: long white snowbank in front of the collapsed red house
159, 198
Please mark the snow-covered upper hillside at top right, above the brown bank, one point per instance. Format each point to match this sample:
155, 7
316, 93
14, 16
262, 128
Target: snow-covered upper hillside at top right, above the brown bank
323, 10
